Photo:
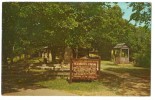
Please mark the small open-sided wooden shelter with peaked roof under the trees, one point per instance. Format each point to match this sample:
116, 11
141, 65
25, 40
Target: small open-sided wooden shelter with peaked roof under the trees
120, 54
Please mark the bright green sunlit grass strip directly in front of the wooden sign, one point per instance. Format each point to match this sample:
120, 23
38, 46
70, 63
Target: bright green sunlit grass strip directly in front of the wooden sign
65, 85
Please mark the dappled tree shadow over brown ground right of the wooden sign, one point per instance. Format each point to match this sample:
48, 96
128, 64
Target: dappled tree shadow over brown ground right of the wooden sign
130, 82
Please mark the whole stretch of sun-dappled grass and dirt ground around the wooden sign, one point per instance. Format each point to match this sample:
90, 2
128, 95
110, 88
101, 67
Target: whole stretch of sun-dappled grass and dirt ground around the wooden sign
114, 80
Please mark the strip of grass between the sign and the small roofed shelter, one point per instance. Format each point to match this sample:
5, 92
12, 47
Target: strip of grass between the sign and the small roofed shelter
140, 72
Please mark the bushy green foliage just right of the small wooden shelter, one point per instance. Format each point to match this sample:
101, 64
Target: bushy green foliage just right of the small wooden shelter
140, 47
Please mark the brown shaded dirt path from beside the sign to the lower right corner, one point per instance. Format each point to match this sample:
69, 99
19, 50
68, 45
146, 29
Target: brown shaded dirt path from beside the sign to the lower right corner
132, 85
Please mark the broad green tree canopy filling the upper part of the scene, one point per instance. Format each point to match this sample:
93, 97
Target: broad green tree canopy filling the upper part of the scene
27, 27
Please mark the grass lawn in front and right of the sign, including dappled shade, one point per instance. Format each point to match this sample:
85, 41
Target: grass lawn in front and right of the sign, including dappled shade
123, 79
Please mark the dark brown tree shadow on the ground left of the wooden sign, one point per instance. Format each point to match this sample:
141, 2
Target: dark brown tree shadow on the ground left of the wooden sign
19, 77
